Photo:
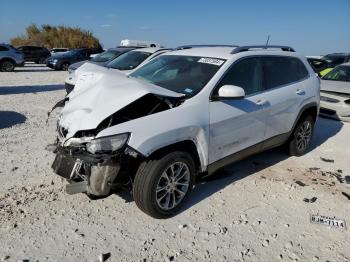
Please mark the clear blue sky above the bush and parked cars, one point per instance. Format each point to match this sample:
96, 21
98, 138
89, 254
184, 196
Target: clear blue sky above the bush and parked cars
312, 27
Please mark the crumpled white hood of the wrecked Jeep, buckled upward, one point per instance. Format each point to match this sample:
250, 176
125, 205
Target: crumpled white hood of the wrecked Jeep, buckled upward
99, 92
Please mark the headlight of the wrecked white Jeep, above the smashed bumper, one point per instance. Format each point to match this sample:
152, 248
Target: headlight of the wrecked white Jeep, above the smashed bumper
107, 144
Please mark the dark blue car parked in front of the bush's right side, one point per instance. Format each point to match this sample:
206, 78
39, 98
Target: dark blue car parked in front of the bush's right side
63, 61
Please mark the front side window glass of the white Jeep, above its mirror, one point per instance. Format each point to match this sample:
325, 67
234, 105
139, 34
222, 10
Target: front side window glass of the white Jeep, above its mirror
246, 74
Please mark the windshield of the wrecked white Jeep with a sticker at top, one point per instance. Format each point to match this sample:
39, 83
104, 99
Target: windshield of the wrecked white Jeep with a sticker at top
182, 74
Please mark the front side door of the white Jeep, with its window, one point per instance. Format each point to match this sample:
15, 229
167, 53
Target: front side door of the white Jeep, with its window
238, 124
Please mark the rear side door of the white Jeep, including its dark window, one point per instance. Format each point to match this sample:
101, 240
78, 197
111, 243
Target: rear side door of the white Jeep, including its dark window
285, 91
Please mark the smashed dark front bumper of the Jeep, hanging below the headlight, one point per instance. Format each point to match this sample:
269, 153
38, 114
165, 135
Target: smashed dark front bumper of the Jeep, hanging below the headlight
92, 174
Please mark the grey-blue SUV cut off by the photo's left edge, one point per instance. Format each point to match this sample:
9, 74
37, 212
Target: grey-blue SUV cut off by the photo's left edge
10, 57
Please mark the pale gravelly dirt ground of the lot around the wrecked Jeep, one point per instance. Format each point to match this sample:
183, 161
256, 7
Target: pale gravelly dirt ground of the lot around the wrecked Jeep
255, 210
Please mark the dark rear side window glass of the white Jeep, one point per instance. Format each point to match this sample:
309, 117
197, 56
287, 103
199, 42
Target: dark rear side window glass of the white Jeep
279, 71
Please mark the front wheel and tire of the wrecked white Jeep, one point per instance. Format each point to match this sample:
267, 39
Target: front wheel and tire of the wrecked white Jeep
156, 173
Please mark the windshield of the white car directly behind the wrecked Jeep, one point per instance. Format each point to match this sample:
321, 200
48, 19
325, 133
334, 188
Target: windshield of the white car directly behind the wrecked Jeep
129, 60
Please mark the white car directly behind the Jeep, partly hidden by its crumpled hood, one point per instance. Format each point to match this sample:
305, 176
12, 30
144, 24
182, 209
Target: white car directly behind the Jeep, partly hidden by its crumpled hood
126, 63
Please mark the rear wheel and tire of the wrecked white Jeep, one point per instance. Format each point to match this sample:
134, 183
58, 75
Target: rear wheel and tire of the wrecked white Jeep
301, 136
